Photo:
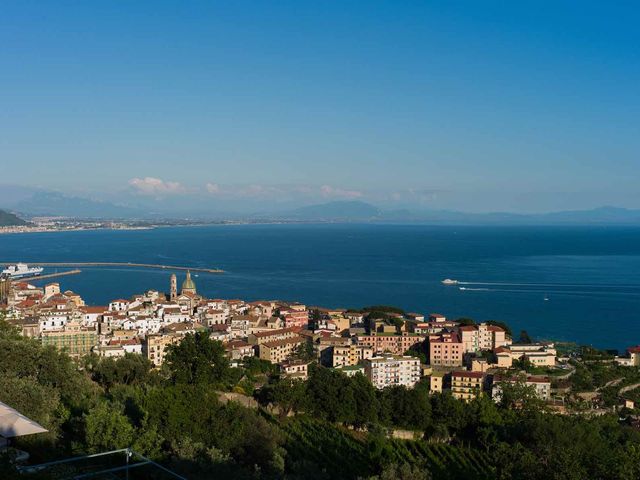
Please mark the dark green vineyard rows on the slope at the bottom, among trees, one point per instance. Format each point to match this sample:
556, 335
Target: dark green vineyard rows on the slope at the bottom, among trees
340, 453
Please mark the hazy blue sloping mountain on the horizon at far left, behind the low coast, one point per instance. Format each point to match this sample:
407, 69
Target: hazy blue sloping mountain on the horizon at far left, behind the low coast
57, 204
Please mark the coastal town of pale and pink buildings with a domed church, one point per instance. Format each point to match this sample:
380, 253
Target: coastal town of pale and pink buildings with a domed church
386, 345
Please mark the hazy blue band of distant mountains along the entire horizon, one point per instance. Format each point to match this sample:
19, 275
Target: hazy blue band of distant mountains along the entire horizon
29, 203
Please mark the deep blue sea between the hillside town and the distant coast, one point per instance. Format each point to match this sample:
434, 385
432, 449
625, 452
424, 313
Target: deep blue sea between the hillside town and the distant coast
590, 276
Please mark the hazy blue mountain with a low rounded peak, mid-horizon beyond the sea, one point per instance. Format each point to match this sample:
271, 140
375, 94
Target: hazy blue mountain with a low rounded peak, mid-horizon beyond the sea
348, 211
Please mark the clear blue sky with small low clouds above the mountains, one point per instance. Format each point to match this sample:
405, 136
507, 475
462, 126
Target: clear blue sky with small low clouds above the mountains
467, 105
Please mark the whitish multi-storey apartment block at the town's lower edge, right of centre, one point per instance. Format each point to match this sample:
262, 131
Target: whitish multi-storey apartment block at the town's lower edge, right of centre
393, 370
